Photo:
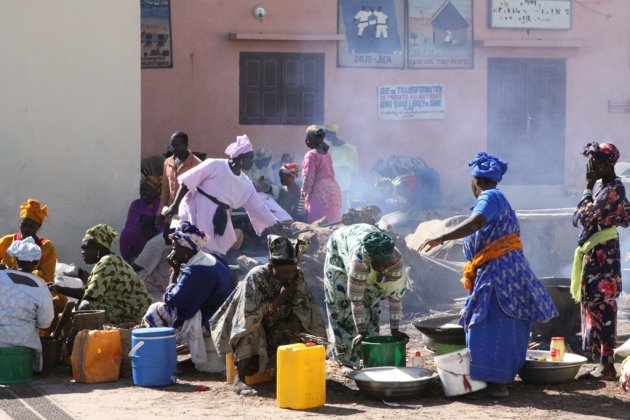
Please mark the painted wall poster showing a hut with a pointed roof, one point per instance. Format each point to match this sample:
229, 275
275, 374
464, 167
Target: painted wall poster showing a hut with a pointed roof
440, 34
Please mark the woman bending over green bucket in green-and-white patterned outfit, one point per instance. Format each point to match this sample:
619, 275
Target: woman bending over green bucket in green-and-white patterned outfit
362, 268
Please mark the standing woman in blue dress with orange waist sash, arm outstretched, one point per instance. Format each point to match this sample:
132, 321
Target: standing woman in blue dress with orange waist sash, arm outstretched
505, 296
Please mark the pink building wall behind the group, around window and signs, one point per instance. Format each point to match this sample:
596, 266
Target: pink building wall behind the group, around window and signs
200, 93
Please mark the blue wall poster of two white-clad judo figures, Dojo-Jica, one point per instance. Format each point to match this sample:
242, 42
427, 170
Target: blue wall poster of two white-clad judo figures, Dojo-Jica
374, 32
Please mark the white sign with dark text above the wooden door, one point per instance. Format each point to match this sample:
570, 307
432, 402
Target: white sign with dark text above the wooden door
530, 14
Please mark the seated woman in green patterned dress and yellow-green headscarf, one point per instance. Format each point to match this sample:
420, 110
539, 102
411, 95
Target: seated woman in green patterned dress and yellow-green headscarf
112, 285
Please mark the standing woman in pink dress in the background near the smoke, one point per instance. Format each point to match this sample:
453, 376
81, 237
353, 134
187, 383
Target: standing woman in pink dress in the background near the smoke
320, 192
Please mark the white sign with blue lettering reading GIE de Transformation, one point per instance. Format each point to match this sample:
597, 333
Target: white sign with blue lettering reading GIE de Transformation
411, 102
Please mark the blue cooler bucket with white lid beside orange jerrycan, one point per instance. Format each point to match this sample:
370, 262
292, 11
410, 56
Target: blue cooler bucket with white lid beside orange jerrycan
153, 356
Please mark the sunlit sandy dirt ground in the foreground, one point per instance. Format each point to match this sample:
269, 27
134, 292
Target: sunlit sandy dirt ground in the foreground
202, 395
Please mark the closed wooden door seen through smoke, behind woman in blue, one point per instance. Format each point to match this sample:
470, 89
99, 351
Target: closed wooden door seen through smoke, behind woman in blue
526, 118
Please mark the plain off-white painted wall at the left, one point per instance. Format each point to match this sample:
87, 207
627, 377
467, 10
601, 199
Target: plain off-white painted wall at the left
69, 114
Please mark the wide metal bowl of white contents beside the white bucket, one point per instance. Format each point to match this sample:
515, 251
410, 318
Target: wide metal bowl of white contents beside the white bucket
404, 382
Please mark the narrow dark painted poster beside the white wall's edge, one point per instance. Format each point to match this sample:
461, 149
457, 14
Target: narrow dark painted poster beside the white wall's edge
155, 34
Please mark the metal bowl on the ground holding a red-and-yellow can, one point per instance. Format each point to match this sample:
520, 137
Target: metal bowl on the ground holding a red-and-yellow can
543, 372
